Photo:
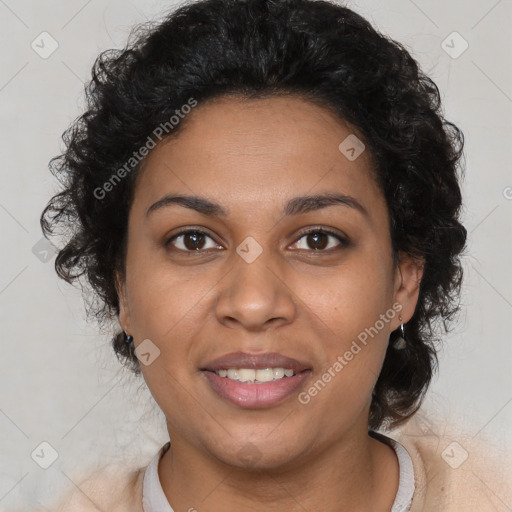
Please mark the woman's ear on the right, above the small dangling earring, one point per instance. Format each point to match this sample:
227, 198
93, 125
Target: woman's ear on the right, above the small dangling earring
407, 284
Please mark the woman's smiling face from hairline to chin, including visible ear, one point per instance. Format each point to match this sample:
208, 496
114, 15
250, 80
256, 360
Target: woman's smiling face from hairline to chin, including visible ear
256, 283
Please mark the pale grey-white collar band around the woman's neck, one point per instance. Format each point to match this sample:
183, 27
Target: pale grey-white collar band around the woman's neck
154, 499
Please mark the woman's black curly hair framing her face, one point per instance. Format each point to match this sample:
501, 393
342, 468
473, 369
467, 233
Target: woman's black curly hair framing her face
316, 49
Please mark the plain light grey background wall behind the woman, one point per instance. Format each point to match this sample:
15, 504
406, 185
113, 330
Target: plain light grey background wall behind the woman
61, 382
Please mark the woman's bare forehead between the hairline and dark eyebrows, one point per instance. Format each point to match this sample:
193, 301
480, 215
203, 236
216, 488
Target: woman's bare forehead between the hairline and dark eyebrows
251, 152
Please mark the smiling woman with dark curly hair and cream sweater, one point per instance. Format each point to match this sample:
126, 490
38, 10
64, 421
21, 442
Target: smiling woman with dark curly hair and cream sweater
265, 194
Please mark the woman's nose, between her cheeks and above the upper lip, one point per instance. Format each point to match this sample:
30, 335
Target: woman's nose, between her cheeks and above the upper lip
255, 296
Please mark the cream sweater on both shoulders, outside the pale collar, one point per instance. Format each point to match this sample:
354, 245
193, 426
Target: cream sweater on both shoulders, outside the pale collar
451, 472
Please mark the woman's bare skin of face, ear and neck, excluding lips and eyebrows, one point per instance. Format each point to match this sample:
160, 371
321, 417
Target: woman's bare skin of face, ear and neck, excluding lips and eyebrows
251, 157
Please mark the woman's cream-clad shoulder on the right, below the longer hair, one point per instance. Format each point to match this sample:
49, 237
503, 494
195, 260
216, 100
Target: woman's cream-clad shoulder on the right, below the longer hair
453, 470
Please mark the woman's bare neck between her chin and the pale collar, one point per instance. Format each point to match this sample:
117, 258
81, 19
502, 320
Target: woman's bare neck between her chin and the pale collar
355, 473
